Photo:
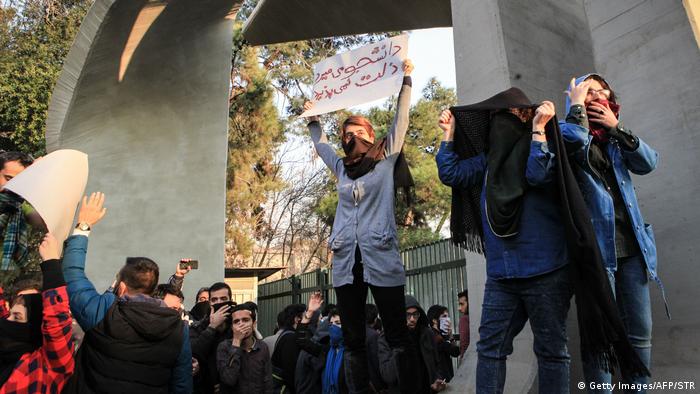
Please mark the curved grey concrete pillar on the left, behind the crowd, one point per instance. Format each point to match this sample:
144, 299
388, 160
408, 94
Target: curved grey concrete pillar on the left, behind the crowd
156, 140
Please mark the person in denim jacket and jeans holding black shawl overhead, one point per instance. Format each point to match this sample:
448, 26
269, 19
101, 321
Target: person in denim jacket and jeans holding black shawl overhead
505, 204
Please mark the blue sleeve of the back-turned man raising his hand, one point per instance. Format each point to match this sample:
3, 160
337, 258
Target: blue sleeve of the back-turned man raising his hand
88, 306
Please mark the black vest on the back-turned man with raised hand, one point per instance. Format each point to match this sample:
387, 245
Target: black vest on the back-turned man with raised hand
132, 350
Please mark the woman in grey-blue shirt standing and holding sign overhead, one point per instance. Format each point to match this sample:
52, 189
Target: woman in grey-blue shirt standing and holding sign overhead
364, 240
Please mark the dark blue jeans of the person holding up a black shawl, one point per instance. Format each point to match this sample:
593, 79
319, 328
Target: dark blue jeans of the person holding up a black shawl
508, 304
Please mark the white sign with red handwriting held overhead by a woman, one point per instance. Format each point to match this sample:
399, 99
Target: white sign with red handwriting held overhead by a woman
359, 76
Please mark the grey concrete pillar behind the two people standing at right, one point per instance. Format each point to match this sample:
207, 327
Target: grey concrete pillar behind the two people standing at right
647, 51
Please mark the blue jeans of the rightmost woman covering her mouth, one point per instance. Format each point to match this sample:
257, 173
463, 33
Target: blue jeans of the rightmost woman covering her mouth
631, 286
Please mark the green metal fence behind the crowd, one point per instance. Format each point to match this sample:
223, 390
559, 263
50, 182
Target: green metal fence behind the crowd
435, 273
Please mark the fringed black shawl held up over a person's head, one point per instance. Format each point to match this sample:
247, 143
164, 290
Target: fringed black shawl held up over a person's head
604, 341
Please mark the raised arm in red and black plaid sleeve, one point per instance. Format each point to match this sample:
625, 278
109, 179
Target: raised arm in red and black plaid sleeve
57, 349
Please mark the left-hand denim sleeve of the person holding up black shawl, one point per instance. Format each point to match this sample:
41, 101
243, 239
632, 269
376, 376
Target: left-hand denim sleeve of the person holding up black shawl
459, 173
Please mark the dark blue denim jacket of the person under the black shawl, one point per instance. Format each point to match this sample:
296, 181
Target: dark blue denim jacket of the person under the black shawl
540, 245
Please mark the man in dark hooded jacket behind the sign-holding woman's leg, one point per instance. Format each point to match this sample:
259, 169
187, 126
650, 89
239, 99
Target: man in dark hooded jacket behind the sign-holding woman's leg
428, 378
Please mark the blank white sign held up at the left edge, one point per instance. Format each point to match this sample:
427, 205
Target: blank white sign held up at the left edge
54, 185
